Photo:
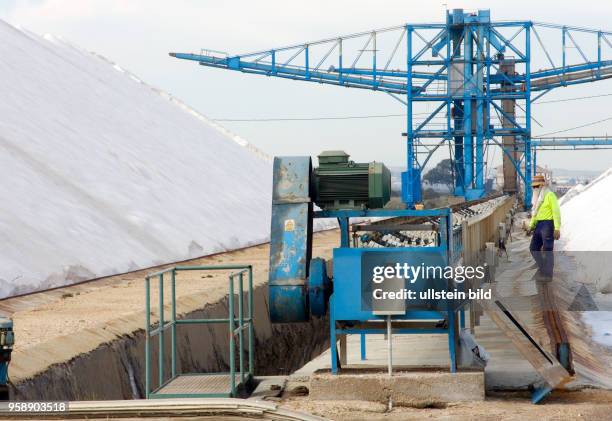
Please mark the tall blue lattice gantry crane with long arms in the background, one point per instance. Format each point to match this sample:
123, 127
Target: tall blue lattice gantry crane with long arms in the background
466, 82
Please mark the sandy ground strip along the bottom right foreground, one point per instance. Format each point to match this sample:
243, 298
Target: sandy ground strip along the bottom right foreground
586, 404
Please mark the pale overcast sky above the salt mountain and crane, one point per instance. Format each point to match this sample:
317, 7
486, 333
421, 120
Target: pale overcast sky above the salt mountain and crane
138, 34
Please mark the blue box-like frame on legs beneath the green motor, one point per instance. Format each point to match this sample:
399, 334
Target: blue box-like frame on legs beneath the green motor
349, 314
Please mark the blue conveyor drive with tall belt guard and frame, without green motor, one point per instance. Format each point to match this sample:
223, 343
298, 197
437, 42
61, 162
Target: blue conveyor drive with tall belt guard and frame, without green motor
300, 287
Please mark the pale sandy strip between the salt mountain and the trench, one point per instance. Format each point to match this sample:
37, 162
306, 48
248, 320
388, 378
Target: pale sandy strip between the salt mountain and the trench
55, 326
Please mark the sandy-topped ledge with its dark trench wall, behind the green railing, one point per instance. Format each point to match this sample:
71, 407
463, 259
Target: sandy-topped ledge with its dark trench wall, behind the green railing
86, 341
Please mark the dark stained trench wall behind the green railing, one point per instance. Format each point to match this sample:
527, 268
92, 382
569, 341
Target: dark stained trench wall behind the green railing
115, 370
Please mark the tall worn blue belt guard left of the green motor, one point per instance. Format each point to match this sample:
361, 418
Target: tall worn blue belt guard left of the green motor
290, 239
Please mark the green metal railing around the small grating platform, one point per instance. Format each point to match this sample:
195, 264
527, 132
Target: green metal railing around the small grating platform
237, 324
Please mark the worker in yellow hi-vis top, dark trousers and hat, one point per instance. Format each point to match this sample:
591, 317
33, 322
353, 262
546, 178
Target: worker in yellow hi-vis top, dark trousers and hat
545, 226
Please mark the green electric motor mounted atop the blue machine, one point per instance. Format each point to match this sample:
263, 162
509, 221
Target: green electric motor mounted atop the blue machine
340, 183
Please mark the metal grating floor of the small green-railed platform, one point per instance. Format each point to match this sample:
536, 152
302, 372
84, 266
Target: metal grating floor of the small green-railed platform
197, 385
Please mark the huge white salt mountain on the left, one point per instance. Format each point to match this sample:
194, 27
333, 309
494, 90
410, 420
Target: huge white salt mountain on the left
103, 174
